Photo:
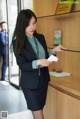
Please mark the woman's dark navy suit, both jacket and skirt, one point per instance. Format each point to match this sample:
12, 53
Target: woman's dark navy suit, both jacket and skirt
33, 79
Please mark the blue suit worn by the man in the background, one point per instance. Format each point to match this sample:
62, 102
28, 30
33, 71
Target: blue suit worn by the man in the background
4, 52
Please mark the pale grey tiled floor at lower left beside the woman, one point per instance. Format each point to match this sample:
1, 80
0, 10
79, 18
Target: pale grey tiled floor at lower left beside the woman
13, 101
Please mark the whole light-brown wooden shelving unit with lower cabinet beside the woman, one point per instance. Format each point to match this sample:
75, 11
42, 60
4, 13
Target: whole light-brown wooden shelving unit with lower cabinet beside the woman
60, 105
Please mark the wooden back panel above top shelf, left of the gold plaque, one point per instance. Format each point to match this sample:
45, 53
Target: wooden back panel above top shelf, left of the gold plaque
44, 7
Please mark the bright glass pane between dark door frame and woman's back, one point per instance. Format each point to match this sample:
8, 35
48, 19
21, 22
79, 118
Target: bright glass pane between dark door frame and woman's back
12, 15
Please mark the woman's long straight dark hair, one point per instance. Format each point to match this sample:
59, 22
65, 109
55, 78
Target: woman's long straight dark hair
23, 20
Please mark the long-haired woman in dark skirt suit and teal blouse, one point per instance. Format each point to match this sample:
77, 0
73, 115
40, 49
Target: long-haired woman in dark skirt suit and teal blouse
31, 55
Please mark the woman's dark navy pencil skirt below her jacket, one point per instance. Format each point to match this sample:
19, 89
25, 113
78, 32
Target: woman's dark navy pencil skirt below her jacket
36, 98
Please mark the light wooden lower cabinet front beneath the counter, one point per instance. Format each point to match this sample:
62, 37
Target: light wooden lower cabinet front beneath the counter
61, 106
